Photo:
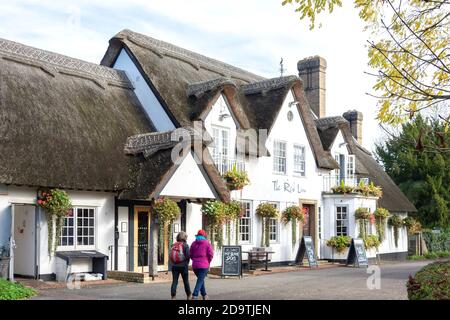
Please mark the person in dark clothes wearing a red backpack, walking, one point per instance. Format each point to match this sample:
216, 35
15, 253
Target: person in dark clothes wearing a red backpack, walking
181, 268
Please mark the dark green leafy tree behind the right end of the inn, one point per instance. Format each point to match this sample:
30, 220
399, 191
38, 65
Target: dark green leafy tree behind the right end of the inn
423, 176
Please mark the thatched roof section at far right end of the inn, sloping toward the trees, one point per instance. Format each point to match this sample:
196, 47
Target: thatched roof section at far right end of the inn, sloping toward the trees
393, 198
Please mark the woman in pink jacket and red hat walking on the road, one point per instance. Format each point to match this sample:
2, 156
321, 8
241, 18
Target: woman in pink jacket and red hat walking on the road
201, 253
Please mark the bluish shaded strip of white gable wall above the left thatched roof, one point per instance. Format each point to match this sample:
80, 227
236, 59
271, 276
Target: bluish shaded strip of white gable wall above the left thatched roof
152, 106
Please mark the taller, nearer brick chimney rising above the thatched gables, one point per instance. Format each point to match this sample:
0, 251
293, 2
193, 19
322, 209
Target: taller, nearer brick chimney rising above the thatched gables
312, 71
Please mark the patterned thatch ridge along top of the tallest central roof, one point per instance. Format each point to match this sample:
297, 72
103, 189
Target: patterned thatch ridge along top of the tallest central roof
161, 47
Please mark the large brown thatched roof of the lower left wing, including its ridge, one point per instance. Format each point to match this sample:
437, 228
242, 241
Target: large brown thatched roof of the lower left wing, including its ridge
64, 121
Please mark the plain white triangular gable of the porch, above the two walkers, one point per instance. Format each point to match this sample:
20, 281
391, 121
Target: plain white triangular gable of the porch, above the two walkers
188, 182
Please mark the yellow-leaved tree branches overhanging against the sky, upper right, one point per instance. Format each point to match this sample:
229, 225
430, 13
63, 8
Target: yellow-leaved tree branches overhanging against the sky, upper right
410, 49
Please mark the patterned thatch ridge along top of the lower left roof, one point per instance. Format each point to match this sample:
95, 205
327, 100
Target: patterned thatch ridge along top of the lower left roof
59, 61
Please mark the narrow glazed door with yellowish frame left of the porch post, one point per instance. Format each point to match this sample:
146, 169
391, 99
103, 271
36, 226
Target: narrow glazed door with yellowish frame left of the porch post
141, 246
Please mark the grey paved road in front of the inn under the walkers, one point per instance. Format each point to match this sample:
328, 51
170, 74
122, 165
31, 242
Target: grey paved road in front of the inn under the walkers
333, 283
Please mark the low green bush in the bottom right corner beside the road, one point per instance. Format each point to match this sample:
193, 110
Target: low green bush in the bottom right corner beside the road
432, 282
